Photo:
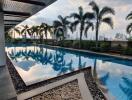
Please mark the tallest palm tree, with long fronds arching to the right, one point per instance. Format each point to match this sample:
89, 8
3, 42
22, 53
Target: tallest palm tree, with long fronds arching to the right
100, 17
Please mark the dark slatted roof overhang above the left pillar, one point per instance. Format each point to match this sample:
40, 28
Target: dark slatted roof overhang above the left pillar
16, 11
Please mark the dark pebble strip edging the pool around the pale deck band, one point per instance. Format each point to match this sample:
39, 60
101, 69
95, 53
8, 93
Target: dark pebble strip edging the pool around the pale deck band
21, 87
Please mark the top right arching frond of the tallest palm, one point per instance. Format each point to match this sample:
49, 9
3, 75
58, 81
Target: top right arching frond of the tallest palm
106, 10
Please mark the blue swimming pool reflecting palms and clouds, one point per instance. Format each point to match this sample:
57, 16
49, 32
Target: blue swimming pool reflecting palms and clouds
38, 63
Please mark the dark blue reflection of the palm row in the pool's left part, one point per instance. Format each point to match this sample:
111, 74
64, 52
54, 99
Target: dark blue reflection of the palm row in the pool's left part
45, 57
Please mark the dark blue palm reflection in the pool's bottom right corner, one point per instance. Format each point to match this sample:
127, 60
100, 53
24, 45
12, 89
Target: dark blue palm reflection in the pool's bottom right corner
127, 88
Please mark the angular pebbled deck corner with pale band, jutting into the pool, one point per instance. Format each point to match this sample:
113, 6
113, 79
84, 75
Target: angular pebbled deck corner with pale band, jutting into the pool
78, 85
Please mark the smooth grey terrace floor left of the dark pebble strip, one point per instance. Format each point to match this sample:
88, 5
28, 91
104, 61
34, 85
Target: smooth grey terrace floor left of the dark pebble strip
7, 90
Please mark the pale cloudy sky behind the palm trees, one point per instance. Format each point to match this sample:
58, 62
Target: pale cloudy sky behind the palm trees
66, 7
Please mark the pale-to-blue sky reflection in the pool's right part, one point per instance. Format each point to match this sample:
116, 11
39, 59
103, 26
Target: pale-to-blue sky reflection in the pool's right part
117, 71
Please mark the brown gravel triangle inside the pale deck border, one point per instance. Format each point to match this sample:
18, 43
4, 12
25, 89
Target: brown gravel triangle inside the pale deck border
68, 91
